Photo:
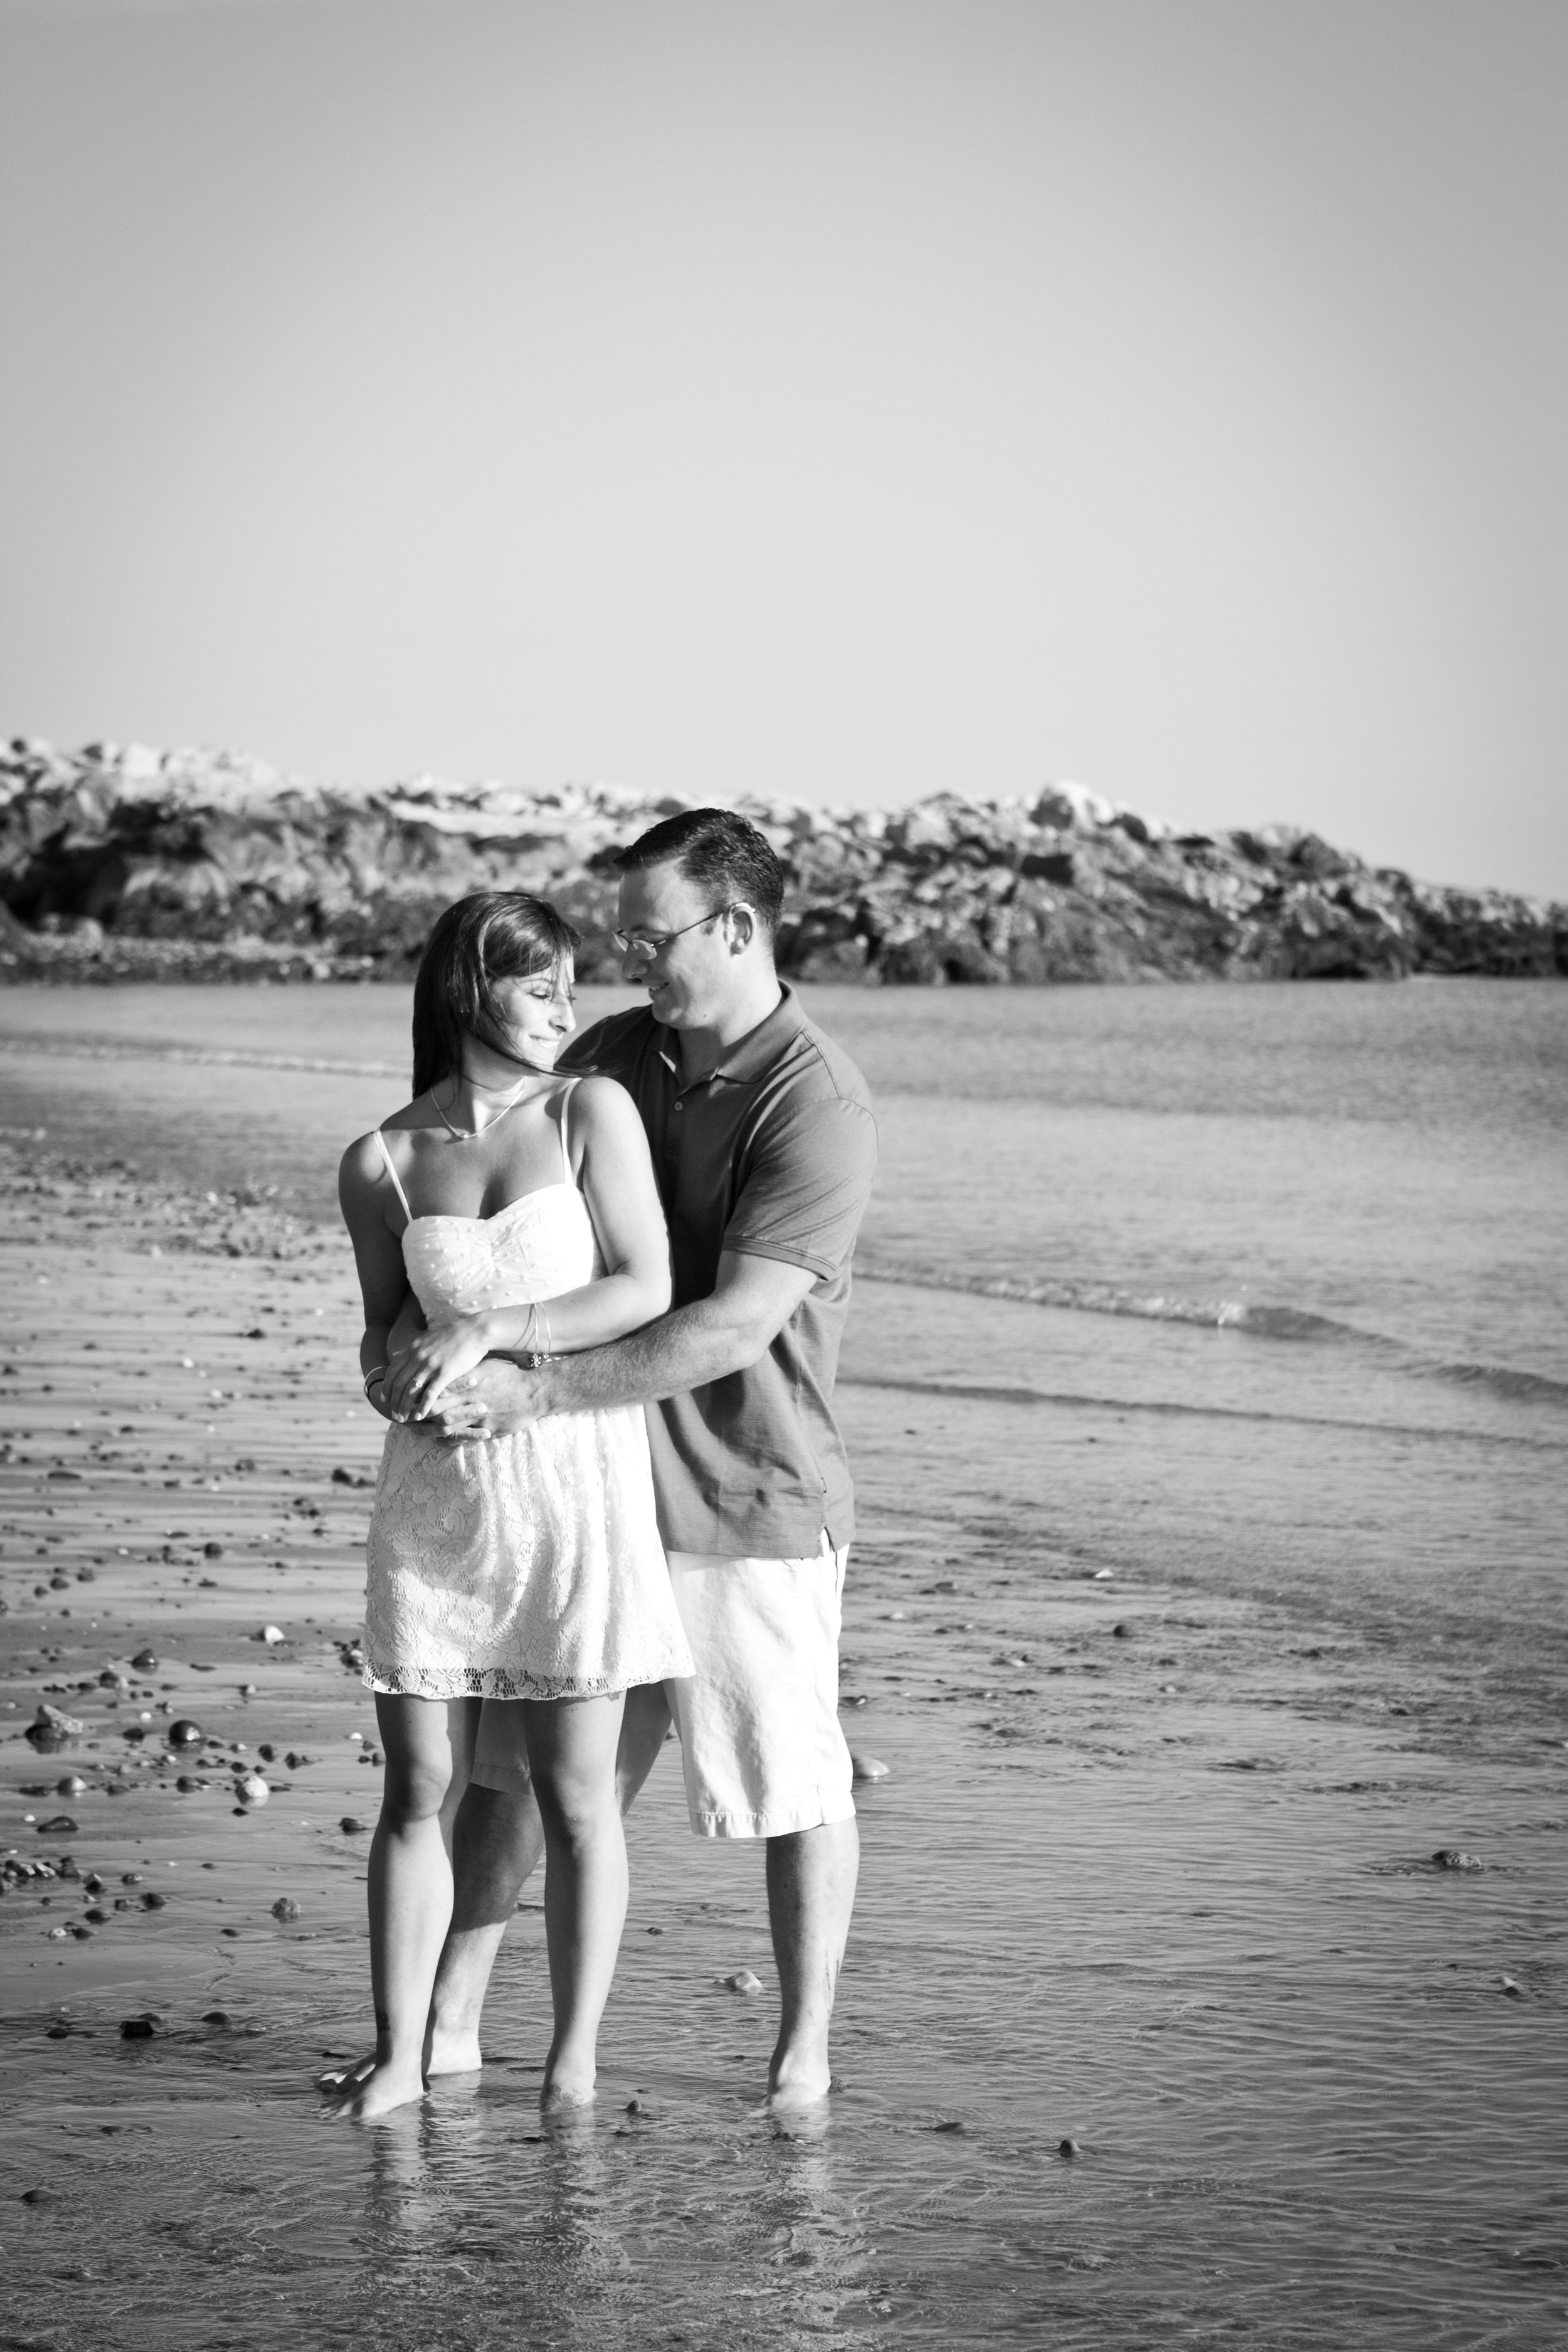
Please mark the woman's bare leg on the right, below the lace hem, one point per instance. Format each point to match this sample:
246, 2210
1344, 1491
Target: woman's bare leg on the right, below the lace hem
572, 1756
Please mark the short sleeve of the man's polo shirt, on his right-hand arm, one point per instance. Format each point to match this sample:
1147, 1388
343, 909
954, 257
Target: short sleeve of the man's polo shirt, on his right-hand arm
808, 1187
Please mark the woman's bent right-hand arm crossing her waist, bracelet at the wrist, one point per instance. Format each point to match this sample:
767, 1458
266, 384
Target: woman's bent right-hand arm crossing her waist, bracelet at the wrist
617, 1177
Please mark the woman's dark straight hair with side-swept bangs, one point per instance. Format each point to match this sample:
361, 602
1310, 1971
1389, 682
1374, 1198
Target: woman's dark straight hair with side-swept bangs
500, 935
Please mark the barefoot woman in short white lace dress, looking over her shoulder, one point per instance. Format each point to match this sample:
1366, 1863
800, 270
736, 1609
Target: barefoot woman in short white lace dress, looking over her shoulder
504, 1210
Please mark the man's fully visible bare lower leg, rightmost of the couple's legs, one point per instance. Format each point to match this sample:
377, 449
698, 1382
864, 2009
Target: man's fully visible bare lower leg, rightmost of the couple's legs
812, 1895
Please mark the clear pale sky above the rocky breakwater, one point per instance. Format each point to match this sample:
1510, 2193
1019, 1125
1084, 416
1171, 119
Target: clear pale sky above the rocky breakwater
826, 399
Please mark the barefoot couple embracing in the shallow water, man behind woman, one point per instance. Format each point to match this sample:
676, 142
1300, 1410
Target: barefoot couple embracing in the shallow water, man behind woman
551, 1238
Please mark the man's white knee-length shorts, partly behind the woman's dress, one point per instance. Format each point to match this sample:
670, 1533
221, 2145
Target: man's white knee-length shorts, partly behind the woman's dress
760, 1720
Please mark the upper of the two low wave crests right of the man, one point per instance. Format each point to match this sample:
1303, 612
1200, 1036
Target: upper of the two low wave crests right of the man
1296, 1325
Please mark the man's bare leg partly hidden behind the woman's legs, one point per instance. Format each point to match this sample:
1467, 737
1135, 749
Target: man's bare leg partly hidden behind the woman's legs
497, 1840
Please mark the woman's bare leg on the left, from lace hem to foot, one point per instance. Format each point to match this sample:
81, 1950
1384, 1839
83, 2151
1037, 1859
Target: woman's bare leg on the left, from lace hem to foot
429, 1746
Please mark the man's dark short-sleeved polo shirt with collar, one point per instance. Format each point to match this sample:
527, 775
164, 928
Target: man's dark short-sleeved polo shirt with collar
772, 1156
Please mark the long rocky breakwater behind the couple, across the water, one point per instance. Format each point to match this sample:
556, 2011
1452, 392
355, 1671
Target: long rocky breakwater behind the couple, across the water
121, 862
